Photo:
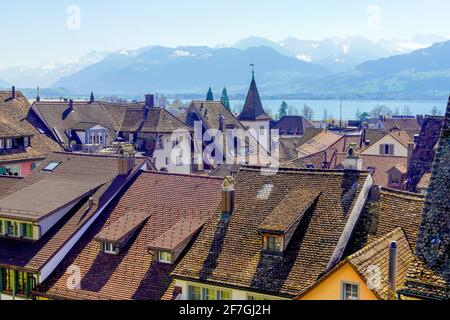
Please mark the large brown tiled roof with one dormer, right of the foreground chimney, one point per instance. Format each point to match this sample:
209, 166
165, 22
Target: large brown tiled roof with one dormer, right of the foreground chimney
229, 253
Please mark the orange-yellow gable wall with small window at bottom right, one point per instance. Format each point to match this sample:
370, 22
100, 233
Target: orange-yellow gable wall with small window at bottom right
331, 287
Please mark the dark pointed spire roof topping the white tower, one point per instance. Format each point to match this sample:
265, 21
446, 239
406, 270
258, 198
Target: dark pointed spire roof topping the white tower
253, 109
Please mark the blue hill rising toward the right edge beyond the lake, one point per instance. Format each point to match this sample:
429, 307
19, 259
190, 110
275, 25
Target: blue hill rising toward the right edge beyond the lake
424, 73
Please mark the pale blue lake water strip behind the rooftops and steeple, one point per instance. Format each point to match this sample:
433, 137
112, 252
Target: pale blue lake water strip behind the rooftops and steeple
349, 107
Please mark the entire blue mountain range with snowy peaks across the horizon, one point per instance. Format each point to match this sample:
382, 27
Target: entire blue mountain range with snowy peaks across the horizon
353, 67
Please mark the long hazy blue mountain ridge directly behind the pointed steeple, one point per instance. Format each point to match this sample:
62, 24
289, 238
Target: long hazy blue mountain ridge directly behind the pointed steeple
190, 70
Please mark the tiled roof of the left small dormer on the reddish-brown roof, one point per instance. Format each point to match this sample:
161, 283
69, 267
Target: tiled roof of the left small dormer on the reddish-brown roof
123, 227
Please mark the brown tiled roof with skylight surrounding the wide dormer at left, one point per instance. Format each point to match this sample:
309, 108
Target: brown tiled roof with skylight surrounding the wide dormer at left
33, 256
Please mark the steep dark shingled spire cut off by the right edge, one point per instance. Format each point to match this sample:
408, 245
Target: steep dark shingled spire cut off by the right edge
433, 243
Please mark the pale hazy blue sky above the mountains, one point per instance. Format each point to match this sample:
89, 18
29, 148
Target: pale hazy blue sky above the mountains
49, 30
